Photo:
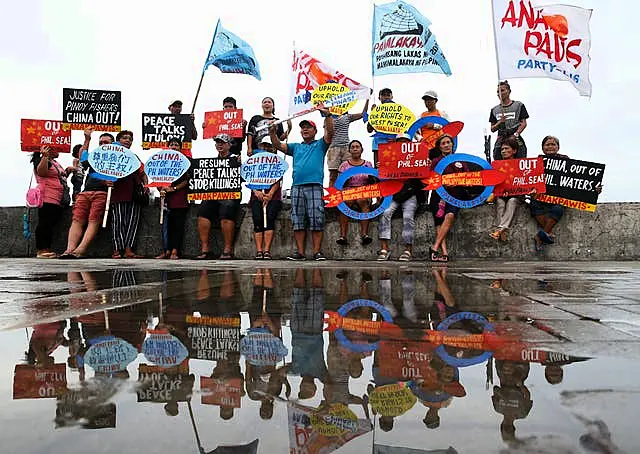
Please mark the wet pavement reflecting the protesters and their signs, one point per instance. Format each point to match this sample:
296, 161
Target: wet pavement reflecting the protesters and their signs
106, 356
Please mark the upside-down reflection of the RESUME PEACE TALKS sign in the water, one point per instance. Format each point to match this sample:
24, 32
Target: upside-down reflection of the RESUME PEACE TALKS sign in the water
213, 338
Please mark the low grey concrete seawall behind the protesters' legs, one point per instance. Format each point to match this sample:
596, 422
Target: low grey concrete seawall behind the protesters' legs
611, 233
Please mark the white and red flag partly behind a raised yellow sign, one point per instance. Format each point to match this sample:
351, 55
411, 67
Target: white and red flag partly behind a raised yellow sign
308, 74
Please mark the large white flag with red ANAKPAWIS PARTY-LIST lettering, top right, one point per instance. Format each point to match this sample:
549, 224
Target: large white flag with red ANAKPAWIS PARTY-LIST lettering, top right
551, 41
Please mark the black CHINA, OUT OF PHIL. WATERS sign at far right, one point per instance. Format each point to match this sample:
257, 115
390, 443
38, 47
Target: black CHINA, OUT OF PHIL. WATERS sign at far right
571, 183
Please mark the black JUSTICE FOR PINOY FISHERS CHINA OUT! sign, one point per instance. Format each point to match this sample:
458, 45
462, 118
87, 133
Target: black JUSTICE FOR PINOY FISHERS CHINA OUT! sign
96, 109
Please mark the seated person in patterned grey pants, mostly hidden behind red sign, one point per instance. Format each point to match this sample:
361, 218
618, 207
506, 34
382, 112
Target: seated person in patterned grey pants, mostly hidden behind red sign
407, 198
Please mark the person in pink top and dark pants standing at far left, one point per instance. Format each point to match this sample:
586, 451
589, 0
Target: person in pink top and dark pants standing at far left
52, 180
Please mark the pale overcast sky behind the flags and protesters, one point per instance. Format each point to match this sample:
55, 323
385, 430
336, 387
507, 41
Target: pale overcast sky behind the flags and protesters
153, 52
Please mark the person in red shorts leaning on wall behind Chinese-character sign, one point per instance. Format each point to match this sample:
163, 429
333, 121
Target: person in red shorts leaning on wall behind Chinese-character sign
89, 206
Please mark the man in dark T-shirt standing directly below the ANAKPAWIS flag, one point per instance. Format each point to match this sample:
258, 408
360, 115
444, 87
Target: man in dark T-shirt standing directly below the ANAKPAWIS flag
509, 118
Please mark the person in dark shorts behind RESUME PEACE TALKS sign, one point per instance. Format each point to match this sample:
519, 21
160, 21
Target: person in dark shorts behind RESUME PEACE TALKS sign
225, 210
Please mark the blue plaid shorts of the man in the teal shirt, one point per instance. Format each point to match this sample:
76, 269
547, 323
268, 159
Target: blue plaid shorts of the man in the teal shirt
307, 207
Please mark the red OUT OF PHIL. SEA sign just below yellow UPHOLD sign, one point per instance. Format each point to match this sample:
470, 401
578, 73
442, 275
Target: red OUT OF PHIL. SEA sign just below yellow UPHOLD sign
403, 160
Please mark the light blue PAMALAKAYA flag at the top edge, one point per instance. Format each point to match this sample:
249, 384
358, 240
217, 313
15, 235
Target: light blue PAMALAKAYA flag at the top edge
403, 43
